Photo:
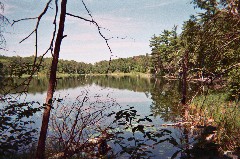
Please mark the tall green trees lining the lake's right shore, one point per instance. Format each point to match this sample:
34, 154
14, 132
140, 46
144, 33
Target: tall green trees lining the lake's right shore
211, 38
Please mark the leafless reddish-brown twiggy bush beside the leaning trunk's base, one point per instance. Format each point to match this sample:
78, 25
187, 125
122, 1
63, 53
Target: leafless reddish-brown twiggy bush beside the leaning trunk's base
81, 126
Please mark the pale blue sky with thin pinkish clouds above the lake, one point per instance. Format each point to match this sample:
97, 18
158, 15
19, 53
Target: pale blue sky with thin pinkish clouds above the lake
129, 24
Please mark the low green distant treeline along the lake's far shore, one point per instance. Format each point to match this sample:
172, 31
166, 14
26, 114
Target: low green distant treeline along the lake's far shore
18, 66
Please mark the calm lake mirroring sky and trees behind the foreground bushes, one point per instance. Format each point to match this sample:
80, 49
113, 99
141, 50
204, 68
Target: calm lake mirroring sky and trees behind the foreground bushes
154, 101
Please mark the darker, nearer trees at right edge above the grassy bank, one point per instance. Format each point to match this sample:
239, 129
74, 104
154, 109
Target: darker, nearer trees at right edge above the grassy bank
215, 42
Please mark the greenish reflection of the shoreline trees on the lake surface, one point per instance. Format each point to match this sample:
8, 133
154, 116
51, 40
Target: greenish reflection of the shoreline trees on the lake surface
165, 94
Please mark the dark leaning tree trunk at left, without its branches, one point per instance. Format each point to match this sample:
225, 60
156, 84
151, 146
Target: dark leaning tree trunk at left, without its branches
52, 84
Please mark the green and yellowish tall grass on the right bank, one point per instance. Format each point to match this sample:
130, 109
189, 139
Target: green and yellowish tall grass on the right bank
221, 113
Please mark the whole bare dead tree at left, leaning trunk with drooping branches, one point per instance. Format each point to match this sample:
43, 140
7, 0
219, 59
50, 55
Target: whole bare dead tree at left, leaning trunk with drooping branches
54, 48
